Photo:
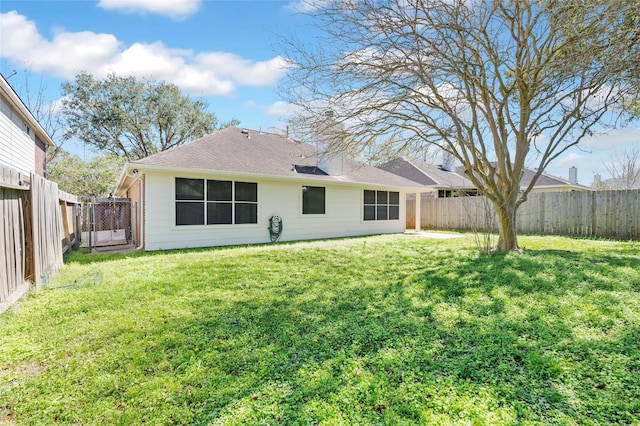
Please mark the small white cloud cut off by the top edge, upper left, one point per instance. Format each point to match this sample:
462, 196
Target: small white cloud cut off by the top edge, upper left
176, 9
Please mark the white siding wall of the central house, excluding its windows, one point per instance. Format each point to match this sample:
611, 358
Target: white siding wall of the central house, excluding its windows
343, 217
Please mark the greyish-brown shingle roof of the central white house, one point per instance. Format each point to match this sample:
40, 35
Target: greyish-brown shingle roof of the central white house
248, 152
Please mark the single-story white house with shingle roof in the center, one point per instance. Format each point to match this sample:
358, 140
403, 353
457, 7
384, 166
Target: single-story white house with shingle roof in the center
223, 189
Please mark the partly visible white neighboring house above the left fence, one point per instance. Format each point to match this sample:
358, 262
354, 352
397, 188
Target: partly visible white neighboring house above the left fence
23, 141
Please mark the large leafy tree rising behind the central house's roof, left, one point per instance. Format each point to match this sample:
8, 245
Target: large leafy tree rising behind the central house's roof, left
133, 118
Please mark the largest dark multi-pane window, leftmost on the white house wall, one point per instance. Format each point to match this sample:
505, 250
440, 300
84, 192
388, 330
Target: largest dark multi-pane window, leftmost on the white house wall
215, 202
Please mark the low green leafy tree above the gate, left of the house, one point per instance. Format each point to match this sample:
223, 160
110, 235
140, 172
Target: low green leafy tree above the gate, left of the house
86, 179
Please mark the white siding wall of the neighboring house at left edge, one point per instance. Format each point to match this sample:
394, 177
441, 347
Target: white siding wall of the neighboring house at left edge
17, 148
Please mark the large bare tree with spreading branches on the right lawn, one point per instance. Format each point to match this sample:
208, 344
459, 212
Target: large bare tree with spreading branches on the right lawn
497, 84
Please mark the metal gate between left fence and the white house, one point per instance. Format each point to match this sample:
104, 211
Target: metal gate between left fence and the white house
107, 223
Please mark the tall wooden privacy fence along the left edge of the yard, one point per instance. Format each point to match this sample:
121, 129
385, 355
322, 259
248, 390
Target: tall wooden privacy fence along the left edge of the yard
39, 224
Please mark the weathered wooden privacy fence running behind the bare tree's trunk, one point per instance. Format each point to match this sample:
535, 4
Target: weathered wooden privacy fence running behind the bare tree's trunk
613, 214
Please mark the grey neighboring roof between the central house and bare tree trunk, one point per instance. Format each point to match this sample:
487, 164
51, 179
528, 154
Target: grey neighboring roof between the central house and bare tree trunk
427, 174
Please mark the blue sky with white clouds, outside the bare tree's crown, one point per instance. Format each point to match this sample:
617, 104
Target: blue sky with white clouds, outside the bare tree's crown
224, 51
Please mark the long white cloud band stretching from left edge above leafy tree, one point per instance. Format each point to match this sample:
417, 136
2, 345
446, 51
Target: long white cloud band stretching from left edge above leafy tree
67, 53
